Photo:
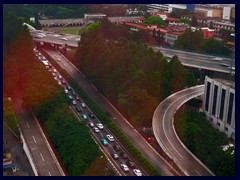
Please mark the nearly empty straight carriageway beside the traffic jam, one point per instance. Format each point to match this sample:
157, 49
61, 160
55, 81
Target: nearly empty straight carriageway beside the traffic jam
163, 167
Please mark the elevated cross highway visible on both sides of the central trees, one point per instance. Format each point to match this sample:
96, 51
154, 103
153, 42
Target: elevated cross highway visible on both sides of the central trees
196, 60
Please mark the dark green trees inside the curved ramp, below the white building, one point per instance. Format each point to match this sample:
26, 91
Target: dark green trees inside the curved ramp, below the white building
205, 142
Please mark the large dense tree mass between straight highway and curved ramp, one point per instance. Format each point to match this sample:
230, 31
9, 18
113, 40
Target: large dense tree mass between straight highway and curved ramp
131, 75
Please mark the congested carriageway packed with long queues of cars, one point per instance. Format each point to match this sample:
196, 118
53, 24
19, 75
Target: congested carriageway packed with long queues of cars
84, 114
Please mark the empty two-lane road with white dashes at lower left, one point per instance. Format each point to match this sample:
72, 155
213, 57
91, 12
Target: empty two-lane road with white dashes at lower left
42, 158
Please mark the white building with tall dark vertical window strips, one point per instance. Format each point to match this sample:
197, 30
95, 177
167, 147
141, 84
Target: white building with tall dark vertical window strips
219, 105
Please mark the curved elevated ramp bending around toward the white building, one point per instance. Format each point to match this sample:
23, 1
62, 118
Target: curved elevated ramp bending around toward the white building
167, 138
